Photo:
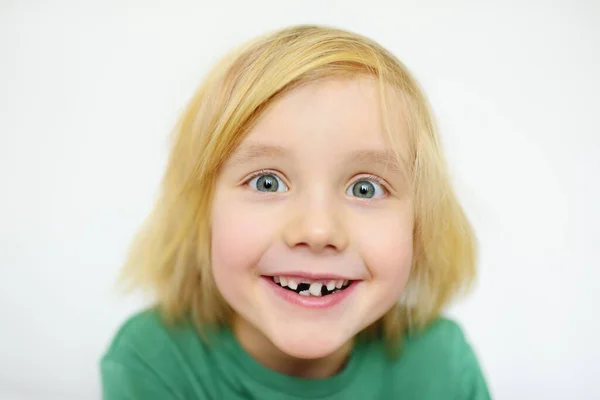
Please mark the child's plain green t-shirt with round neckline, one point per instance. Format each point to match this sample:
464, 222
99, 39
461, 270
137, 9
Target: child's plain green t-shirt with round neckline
149, 360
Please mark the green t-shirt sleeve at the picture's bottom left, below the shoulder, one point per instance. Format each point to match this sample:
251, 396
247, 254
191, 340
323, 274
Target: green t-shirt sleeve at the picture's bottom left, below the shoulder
123, 383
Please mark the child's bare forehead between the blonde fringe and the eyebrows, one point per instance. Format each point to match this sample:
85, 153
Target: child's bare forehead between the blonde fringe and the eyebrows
334, 114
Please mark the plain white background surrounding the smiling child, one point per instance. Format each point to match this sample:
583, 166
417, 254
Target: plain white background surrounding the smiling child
89, 93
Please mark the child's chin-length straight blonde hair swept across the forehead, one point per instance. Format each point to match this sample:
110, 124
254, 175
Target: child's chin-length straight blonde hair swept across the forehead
171, 253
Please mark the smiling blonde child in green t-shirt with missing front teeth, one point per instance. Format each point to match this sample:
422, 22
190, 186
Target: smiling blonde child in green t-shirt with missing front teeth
306, 239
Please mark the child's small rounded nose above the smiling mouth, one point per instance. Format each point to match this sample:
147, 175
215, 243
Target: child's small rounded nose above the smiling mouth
318, 227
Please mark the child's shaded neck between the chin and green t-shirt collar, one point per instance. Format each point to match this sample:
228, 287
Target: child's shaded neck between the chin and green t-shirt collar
267, 354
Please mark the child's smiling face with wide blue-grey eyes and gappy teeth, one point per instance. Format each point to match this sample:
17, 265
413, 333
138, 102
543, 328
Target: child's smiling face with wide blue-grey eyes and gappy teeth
312, 198
